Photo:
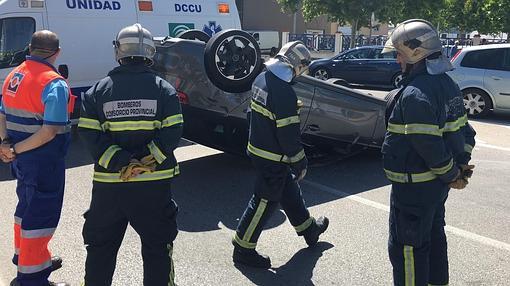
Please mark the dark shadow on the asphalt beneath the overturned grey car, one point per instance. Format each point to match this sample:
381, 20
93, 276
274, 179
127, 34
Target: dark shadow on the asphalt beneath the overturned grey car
215, 190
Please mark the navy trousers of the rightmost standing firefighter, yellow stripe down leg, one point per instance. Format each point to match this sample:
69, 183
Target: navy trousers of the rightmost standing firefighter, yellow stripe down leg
417, 241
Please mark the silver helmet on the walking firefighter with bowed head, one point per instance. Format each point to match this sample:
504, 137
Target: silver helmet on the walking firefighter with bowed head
292, 61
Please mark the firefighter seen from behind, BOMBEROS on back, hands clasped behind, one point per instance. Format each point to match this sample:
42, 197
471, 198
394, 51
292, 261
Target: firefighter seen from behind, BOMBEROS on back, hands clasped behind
131, 122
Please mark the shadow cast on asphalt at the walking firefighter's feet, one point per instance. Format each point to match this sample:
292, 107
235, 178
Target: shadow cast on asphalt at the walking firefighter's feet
297, 271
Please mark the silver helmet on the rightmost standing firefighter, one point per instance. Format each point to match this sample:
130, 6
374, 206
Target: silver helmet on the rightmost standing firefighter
416, 40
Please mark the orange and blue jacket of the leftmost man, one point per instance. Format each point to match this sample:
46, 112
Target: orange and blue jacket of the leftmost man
35, 94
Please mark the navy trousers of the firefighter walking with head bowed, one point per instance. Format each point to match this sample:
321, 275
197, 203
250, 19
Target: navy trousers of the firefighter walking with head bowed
274, 187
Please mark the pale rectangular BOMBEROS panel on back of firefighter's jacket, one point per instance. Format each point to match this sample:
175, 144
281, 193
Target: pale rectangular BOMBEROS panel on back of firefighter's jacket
130, 108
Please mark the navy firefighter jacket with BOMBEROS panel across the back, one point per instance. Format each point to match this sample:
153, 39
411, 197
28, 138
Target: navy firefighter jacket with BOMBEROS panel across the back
130, 114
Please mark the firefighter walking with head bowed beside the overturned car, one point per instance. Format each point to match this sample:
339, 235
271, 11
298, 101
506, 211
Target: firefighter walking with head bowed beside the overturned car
277, 155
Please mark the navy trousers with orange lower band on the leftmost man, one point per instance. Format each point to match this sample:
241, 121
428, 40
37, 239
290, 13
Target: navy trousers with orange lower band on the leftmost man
40, 192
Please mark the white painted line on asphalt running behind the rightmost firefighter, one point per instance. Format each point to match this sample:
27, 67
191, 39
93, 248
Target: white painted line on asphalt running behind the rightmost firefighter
456, 231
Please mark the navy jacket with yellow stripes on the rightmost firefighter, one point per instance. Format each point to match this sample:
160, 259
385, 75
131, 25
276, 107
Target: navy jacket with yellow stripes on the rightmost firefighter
428, 133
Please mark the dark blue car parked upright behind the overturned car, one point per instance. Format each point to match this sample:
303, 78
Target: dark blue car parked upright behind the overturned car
363, 65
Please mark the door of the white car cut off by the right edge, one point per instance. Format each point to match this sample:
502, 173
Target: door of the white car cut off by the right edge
496, 79
